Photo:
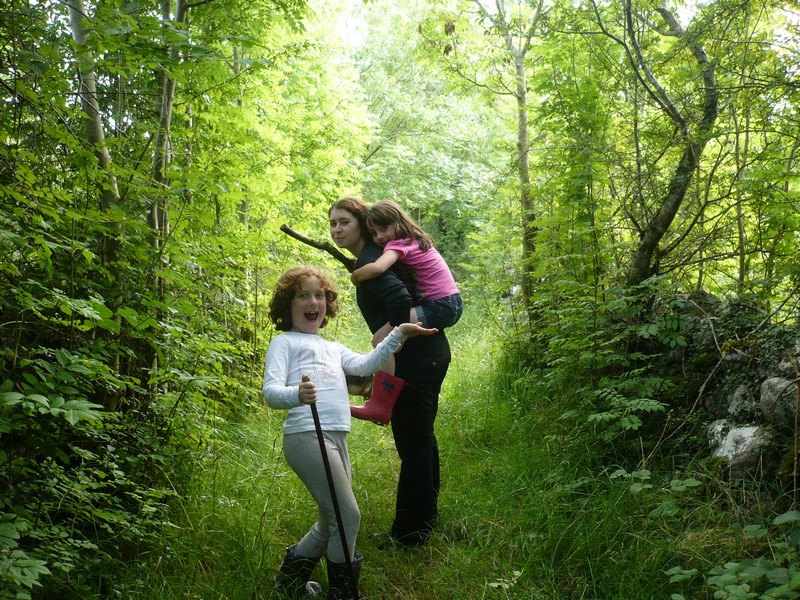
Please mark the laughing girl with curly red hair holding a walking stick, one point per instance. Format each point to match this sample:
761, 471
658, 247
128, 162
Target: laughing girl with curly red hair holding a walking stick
302, 368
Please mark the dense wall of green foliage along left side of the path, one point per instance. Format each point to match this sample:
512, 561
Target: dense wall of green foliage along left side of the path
123, 347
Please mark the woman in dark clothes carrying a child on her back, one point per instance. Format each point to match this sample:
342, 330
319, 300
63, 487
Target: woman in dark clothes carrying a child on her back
422, 363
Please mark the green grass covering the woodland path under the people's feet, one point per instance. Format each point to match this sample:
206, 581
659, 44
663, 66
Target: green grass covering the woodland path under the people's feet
525, 512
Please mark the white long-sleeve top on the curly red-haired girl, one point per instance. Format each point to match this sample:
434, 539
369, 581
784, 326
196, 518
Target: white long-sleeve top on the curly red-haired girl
292, 355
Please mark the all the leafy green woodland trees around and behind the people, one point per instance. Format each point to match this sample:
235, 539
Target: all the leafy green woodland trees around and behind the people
585, 168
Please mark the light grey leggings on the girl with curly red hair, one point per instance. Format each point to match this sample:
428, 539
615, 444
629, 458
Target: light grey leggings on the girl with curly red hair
304, 457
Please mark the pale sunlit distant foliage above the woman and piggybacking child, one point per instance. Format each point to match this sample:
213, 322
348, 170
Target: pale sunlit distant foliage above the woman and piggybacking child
435, 148
